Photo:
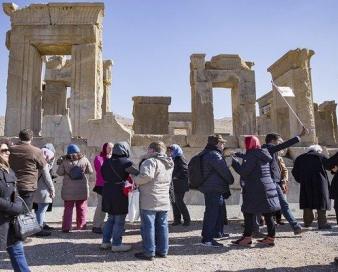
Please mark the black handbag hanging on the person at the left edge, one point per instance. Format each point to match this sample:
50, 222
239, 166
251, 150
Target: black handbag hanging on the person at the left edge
25, 224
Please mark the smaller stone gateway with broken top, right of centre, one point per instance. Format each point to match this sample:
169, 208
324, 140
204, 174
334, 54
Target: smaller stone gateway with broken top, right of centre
224, 71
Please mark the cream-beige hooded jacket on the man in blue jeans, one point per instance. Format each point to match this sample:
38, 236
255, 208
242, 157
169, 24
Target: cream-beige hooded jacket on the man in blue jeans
154, 181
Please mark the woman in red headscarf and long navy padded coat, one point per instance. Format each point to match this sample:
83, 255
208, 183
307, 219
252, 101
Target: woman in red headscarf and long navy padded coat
259, 191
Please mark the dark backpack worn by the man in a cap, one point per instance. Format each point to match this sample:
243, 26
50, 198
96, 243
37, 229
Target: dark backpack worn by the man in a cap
195, 173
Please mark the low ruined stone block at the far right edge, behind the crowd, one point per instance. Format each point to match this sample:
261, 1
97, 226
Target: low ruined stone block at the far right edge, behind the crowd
326, 123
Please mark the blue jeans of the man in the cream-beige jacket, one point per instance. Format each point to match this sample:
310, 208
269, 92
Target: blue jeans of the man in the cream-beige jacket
154, 231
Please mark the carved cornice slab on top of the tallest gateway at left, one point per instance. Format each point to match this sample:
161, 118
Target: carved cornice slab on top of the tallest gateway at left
56, 14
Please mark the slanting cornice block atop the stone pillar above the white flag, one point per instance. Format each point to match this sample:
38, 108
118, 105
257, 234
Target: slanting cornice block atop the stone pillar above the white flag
293, 59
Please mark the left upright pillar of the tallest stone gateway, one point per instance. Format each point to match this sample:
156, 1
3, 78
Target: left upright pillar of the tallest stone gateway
23, 89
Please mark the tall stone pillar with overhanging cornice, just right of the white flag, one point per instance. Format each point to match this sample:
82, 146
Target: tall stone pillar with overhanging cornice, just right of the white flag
293, 70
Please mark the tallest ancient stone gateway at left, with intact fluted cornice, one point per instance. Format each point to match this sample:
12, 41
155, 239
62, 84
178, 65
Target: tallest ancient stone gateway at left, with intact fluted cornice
54, 29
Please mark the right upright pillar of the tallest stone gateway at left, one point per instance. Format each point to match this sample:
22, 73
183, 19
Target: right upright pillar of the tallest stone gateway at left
85, 87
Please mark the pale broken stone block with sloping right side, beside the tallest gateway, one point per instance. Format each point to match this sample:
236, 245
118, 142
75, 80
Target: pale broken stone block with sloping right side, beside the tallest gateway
106, 130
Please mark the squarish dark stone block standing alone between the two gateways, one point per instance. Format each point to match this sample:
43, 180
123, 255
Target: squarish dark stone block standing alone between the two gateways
151, 114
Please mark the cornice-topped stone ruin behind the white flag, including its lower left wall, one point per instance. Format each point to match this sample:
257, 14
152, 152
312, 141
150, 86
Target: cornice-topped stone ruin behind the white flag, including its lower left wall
293, 70
